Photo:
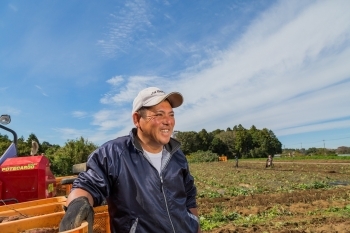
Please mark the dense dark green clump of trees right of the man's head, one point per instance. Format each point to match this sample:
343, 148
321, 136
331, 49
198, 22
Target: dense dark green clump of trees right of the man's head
238, 141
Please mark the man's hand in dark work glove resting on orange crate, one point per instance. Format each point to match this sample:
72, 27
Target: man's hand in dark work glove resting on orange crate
78, 210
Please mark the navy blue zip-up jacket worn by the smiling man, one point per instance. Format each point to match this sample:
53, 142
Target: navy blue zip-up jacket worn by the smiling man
139, 198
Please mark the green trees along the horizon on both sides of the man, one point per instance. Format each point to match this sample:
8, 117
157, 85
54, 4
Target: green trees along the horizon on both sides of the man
245, 143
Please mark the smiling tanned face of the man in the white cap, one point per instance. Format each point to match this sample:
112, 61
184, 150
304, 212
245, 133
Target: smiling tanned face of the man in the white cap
156, 126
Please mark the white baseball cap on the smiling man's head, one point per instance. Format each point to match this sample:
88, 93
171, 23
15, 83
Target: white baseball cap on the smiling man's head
153, 95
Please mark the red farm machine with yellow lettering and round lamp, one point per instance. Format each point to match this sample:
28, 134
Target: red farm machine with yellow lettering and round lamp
25, 178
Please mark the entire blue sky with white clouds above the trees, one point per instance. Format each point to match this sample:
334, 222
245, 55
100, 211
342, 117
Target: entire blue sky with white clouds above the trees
72, 68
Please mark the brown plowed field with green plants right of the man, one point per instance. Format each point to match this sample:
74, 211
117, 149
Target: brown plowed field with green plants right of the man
296, 196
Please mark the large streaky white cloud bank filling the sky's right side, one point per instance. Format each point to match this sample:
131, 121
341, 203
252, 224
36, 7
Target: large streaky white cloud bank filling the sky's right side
288, 73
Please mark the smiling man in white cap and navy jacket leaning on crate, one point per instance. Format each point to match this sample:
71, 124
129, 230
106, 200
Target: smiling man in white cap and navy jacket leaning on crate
144, 177
